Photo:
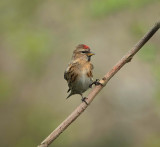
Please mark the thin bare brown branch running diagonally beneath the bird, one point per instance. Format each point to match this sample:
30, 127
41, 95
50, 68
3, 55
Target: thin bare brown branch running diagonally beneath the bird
126, 58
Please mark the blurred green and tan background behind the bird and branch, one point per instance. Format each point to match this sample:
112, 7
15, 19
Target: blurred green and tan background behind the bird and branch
36, 43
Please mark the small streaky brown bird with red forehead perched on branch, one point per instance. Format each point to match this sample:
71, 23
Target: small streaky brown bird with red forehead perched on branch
78, 74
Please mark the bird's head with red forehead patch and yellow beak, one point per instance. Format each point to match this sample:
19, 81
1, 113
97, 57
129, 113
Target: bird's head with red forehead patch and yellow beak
82, 51
